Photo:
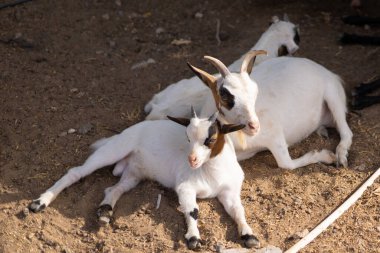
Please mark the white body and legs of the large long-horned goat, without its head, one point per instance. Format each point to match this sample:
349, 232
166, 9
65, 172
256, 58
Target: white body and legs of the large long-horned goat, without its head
297, 97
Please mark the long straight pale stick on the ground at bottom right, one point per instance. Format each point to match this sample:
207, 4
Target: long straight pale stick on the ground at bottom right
334, 215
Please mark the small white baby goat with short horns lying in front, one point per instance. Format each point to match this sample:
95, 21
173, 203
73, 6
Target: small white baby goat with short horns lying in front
197, 162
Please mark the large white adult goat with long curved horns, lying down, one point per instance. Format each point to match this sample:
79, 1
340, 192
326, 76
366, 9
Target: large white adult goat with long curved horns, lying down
297, 97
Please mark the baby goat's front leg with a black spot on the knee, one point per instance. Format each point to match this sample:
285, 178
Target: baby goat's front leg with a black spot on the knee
188, 204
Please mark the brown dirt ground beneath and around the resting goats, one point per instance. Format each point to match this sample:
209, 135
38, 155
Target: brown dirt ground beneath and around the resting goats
68, 65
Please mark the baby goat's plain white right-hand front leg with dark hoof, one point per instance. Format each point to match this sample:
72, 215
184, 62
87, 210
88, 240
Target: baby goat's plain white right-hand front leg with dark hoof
232, 204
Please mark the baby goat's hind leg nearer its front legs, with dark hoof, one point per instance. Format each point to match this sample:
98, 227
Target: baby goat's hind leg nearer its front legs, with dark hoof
113, 193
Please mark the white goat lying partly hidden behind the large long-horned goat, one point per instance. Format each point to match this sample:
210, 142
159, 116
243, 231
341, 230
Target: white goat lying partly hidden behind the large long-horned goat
282, 37
